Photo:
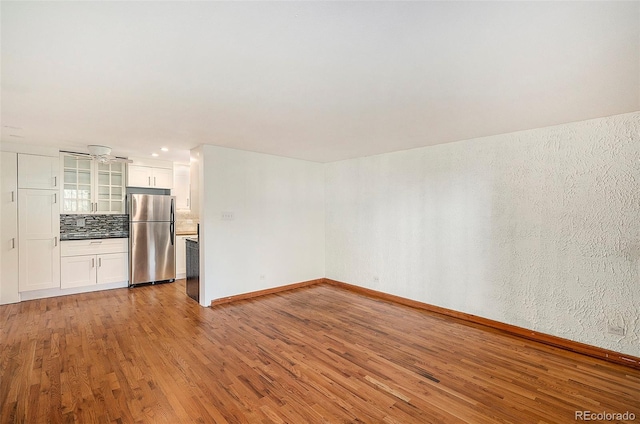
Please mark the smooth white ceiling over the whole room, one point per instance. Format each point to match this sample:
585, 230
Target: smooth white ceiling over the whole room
320, 81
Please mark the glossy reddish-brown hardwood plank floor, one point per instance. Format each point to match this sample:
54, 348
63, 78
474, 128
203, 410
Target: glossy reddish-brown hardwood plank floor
318, 354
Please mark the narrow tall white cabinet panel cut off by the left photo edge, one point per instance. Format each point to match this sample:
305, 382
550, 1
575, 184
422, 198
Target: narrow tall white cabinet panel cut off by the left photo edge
9, 289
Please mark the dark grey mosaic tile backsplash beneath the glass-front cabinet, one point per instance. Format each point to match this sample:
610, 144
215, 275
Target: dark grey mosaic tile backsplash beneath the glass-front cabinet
95, 226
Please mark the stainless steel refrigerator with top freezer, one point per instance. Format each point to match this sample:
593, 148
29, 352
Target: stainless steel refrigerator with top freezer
152, 238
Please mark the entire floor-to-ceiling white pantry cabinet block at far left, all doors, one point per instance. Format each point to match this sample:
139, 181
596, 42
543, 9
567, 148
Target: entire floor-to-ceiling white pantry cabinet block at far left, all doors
30, 246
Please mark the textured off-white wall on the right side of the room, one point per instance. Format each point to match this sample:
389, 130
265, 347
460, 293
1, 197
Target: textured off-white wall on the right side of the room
539, 229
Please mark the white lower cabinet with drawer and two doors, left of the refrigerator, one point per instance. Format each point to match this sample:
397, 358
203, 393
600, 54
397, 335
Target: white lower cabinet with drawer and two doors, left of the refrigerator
92, 262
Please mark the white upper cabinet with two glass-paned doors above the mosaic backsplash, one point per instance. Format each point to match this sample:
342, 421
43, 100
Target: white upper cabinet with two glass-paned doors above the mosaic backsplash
91, 187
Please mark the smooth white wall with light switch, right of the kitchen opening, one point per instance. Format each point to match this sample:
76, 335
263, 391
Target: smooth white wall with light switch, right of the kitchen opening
277, 229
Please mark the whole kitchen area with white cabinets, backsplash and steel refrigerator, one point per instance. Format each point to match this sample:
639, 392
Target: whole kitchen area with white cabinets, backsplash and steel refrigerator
66, 219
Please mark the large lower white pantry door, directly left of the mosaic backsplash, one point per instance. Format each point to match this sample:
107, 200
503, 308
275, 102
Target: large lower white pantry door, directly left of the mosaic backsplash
39, 232
